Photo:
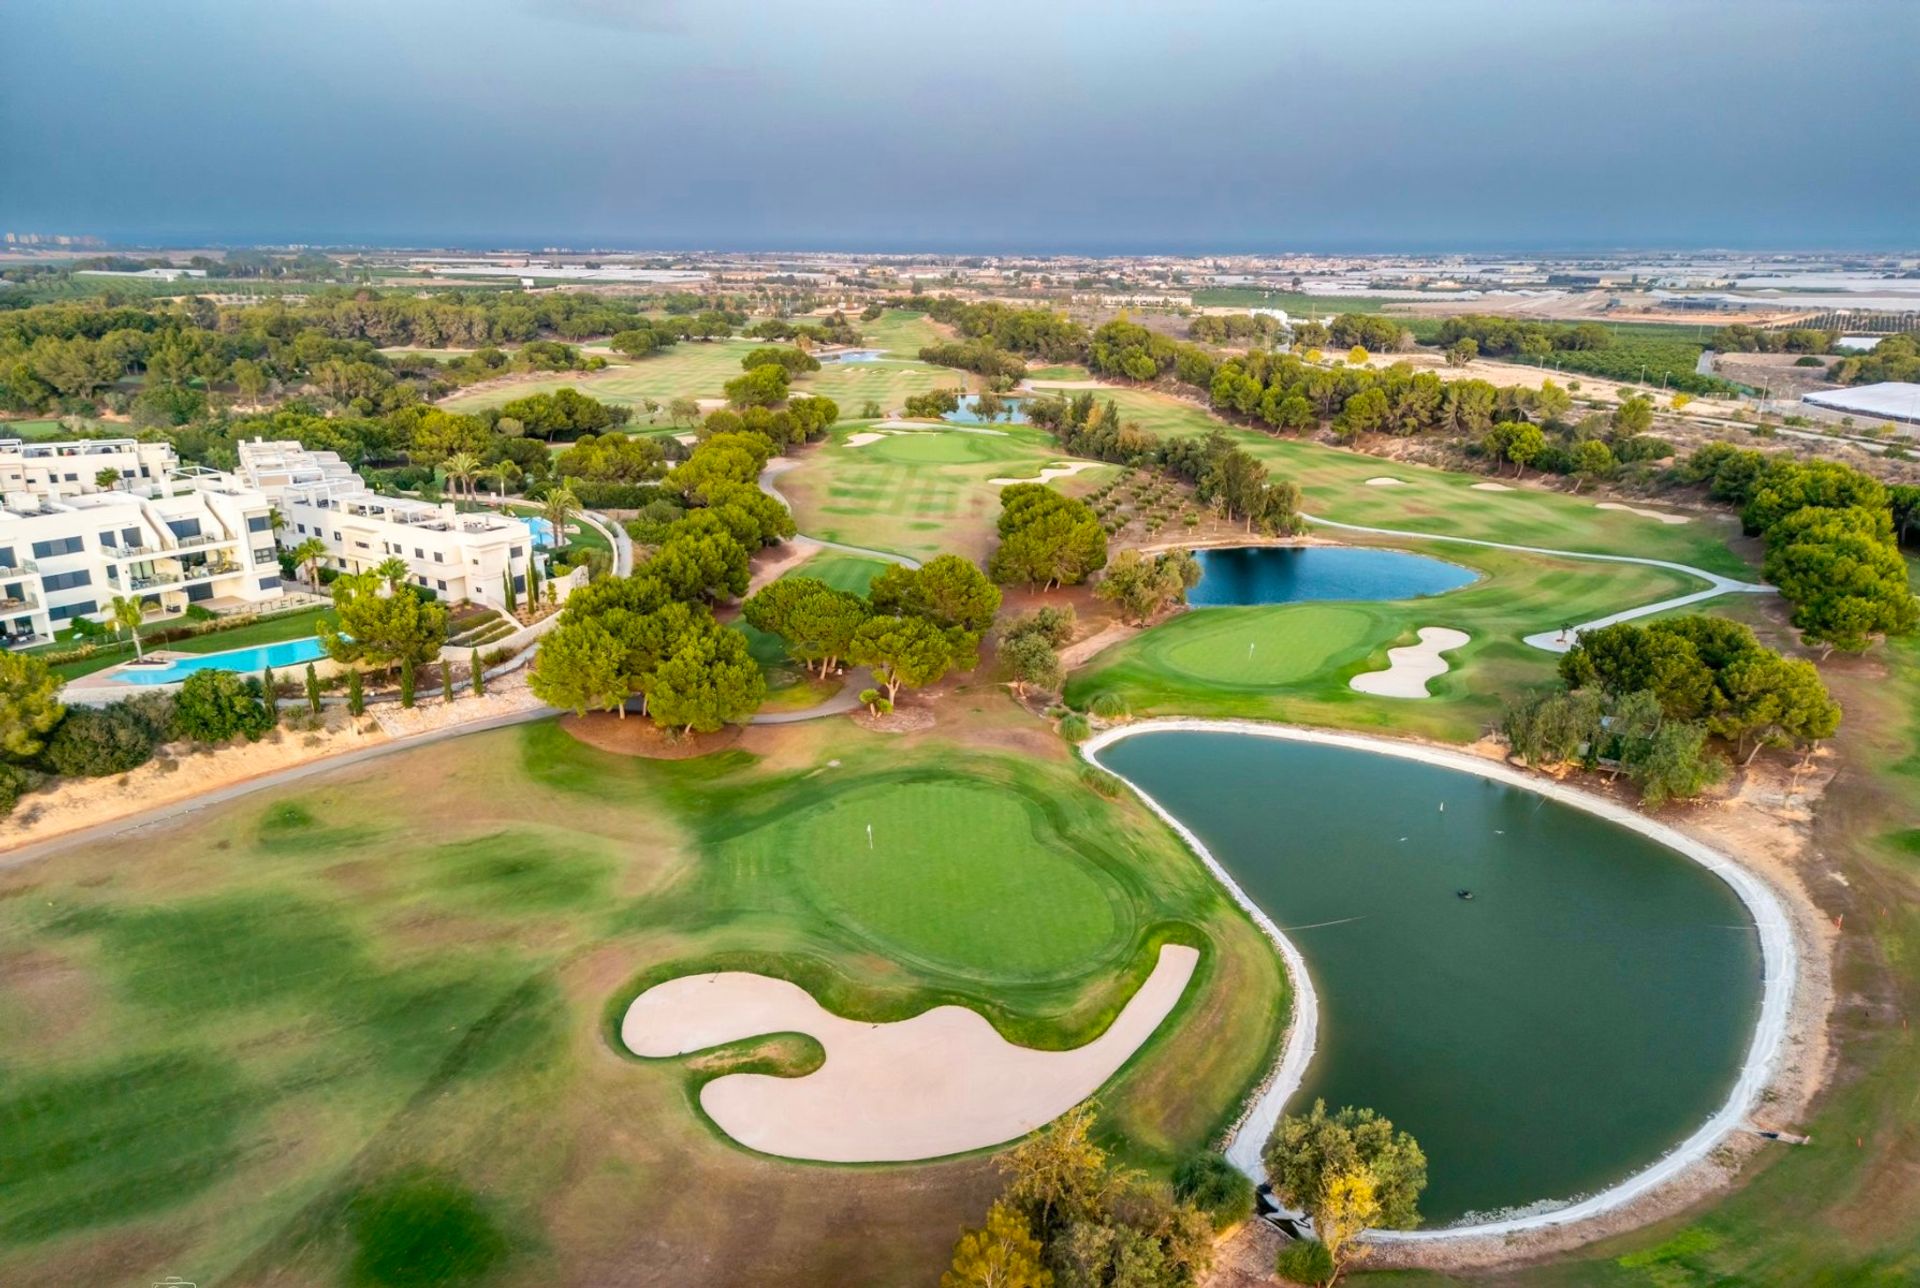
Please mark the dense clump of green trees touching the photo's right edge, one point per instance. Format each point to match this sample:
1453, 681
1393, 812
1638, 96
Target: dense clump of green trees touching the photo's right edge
1831, 540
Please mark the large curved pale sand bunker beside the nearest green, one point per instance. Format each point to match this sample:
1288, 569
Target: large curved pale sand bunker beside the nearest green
940, 1084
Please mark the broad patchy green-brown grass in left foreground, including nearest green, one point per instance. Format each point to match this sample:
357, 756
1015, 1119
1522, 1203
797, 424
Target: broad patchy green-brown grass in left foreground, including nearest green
325, 1032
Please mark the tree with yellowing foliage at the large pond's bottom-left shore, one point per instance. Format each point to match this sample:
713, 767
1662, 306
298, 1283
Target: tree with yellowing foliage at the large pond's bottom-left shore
1353, 1172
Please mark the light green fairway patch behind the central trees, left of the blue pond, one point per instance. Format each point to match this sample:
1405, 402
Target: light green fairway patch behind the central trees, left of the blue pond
917, 492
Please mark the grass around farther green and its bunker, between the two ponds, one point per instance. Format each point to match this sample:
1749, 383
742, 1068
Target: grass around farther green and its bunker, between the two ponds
1303, 656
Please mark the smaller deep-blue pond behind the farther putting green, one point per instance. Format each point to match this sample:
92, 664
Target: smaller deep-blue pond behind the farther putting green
1282, 575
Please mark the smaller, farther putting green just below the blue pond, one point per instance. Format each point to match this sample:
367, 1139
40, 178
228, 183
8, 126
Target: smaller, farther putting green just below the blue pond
1262, 648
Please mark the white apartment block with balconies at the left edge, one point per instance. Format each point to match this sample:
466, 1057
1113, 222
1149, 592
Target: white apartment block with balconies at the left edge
178, 540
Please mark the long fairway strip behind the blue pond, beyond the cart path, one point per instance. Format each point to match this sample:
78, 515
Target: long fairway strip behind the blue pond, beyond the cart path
1333, 485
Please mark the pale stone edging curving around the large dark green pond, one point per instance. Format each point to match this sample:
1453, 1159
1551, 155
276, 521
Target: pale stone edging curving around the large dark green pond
1779, 955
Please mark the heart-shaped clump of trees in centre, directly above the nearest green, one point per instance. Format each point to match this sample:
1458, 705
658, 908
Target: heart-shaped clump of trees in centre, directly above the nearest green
913, 627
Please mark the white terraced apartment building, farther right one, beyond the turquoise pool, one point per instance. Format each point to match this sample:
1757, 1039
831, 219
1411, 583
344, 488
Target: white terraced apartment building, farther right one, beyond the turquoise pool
454, 556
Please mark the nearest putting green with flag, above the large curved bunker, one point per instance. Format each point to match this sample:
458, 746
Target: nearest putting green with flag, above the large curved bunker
961, 876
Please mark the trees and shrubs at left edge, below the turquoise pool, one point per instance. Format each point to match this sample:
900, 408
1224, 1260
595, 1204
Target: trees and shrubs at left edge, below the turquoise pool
41, 736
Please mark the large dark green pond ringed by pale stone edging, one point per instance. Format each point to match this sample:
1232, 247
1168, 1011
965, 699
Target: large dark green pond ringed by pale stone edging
1577, 1018
